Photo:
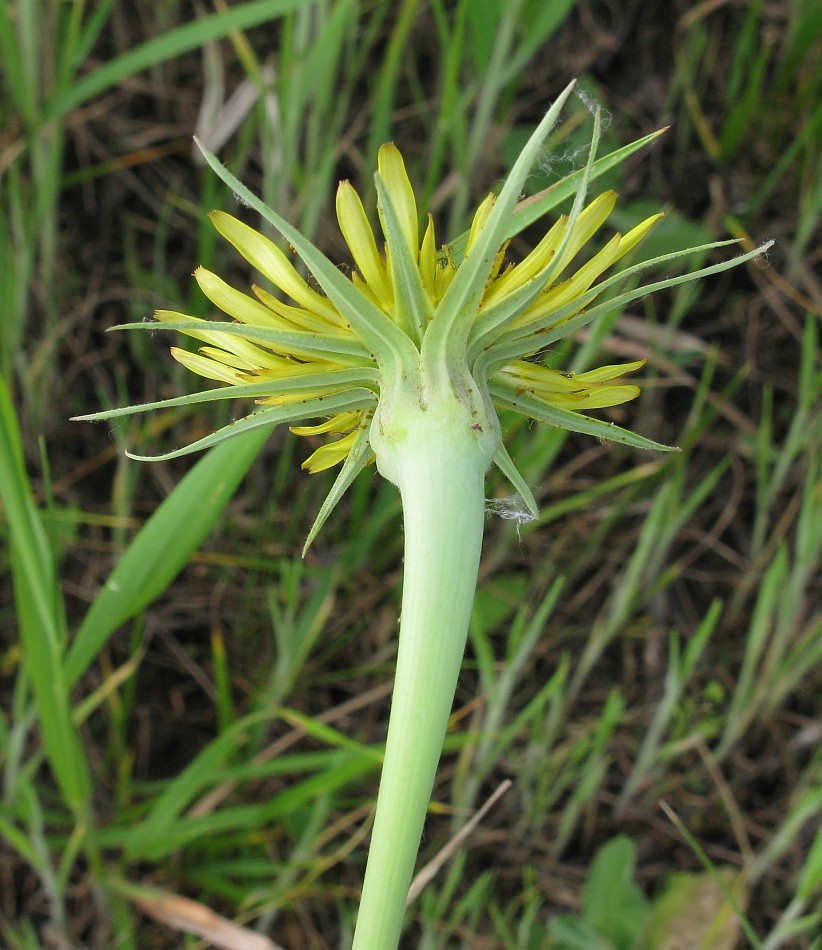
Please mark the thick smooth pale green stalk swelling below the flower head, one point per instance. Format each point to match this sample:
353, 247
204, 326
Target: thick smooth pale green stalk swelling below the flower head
437, 462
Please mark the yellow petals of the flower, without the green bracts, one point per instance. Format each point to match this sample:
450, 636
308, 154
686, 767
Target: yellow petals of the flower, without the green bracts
232, 359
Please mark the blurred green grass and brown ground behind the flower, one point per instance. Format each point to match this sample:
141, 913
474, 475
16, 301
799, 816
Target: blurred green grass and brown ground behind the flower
189, 708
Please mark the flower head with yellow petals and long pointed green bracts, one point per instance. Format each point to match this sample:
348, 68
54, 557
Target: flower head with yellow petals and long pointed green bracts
415, 321
